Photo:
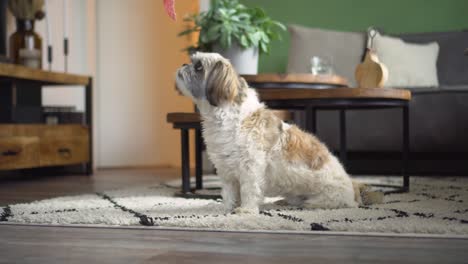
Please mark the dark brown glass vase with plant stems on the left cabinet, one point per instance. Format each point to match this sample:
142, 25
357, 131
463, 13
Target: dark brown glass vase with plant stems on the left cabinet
25, 43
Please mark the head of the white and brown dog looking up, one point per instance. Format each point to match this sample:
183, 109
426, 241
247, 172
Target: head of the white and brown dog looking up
210, 77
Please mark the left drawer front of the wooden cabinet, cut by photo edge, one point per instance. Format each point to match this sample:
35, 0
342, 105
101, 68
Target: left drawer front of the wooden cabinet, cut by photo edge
19, 152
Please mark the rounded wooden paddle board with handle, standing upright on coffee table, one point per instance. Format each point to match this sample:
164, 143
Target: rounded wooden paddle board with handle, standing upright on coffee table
371, 73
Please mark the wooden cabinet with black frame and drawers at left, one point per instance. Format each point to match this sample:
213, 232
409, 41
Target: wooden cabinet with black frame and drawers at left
40, 145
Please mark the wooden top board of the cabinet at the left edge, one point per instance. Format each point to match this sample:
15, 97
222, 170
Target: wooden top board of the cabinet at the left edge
18, 72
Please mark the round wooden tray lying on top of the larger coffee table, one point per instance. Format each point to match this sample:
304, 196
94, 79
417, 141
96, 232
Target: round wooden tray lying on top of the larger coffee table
296, 78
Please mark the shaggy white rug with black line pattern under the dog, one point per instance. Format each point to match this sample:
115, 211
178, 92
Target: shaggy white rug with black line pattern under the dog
434, 206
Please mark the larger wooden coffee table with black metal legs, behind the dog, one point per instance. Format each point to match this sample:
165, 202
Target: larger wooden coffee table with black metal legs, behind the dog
291, 93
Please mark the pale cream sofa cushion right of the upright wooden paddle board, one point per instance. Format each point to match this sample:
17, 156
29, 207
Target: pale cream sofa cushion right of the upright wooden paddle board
408, 64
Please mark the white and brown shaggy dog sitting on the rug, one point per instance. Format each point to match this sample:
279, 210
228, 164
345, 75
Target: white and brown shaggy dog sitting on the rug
255, 153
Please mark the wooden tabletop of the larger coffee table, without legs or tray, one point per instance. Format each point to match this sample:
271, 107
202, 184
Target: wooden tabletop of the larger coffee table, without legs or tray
342, 93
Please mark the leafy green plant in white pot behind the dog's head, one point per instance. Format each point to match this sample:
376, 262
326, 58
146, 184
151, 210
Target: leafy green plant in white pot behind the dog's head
237, 32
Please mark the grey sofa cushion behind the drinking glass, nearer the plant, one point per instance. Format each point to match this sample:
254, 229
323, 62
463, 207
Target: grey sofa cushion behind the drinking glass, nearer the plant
344, 48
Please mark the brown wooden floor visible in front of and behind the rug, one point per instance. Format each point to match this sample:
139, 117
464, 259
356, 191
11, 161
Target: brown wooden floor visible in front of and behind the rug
42, 244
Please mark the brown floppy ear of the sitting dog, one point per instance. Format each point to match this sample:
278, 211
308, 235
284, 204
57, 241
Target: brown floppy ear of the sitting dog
222, 84
